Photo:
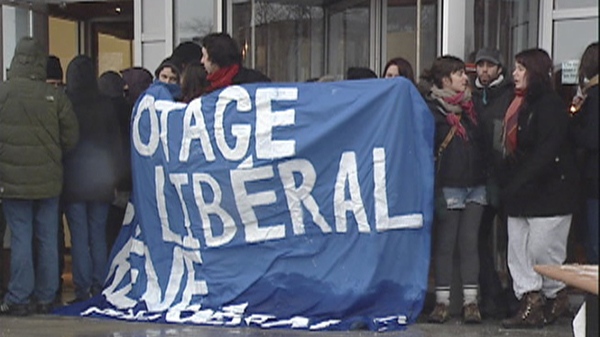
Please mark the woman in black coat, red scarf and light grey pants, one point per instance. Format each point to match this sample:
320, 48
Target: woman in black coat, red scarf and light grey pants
538, 189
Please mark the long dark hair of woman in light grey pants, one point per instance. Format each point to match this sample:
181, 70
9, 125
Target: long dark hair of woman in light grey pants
538, 65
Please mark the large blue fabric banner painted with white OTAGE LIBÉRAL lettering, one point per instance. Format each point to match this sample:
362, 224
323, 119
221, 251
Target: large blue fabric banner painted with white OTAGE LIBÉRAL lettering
295, 205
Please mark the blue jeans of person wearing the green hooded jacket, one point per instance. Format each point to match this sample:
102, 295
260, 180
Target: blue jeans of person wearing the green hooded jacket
25, 219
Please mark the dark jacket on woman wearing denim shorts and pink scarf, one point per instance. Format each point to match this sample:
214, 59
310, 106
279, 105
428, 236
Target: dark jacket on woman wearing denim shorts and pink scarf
461, 163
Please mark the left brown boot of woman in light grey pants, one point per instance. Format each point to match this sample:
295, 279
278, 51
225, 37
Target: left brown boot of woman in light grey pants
530, 314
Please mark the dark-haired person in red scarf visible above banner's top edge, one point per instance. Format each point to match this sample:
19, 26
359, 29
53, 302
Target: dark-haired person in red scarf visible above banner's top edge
222, 59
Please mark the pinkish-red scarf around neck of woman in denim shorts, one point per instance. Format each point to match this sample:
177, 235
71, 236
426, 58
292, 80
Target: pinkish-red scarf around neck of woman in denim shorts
455, 103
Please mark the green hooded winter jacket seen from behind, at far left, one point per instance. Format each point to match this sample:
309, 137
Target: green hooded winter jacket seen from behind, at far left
37, 125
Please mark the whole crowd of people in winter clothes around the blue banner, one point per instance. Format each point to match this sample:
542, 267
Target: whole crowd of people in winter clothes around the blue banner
504, 149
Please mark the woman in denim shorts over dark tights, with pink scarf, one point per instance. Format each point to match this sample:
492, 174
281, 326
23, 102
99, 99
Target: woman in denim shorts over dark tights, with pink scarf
460, 181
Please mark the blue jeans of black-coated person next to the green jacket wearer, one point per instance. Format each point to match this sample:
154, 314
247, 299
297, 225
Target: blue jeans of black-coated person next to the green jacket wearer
87, 223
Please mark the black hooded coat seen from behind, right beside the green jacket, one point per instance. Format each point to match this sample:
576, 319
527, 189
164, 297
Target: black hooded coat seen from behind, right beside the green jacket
92, 169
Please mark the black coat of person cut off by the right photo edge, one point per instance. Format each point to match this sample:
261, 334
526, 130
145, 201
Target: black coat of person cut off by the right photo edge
584, 132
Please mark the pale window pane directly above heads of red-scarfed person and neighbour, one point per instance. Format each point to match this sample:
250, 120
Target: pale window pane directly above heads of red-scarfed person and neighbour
194, 19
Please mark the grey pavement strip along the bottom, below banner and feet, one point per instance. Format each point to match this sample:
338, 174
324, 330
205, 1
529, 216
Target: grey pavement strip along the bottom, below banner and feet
57, 326
